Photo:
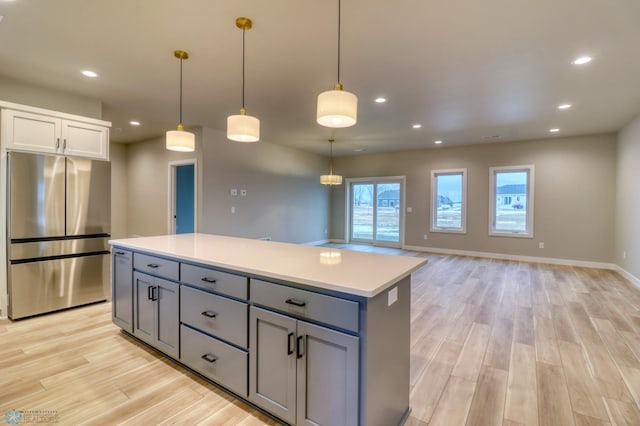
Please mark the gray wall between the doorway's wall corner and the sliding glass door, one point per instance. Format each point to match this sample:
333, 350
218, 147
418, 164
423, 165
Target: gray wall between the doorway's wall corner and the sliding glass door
284, 201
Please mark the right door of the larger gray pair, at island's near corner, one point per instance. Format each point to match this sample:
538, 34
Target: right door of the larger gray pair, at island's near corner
327, 377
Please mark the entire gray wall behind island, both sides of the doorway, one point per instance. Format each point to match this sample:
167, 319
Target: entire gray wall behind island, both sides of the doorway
284, 200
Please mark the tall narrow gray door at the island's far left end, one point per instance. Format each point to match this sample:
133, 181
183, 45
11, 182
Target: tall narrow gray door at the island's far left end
122, 297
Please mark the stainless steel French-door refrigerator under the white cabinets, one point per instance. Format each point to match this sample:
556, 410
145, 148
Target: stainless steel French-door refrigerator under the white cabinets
58, 224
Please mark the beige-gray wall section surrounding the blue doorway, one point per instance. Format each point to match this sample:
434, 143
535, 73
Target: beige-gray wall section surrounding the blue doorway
148, 185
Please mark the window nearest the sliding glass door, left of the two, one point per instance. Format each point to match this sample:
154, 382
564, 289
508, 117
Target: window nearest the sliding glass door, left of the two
449, 200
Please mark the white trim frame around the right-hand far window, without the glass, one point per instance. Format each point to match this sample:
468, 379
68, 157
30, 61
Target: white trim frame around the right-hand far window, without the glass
530, 201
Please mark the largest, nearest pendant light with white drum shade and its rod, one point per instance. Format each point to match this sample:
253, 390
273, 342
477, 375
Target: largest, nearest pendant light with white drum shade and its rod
337, 108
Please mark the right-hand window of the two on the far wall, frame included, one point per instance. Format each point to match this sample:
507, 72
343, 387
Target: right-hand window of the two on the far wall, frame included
511, 201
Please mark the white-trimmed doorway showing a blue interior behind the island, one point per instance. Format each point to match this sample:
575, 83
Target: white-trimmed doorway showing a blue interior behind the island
183, 197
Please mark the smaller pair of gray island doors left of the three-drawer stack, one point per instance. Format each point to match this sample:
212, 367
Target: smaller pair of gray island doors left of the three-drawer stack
156, 312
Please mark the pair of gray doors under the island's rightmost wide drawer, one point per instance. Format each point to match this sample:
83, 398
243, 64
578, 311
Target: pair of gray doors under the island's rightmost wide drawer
303, 373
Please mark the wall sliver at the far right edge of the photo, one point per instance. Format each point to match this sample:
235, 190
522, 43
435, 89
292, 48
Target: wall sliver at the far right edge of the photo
627, 241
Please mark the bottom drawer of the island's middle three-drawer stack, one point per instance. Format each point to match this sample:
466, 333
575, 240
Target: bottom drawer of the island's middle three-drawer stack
218, 361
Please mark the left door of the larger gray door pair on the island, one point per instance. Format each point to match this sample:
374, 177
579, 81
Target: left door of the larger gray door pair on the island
272, 360
